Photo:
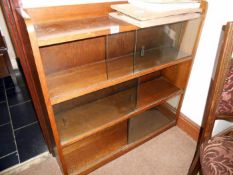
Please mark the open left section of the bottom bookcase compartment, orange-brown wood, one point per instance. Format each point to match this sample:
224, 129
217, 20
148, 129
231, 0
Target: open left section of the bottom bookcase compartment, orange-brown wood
87, 152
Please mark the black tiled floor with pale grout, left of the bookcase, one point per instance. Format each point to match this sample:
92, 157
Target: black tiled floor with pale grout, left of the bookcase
20, 134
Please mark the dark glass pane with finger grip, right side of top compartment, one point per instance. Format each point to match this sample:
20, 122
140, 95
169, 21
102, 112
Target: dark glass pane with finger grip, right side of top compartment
158, 45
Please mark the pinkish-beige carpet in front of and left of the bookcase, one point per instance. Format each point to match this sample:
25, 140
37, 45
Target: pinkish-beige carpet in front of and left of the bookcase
170, 153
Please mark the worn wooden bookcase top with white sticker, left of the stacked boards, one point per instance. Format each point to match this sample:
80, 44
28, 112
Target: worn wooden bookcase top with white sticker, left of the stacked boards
71, 30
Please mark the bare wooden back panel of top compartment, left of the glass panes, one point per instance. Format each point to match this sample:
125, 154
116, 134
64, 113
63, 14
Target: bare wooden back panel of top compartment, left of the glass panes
72, 54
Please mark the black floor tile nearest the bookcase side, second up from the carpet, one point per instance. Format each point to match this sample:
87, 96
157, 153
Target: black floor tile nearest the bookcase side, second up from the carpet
22, 114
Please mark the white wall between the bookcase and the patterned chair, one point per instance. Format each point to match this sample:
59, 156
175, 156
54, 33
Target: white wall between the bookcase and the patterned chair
219, 12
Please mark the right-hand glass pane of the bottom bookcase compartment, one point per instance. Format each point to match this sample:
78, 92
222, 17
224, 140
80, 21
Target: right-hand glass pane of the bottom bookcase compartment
152, 120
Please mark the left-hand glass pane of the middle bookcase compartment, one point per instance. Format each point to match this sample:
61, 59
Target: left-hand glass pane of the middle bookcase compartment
84, 114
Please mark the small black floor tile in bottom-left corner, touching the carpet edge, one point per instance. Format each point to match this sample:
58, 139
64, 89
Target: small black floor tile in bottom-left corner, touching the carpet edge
8, 161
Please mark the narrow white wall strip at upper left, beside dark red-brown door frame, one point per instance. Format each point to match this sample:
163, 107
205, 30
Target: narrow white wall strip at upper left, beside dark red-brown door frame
5, 33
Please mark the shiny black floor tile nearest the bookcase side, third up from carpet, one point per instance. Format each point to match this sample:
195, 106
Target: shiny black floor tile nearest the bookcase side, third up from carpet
17, 95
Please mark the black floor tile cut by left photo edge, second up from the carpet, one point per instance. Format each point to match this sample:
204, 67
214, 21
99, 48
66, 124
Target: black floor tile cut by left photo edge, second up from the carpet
7, 144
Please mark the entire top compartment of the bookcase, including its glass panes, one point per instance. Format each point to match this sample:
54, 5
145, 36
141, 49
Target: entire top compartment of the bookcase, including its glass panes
98, 60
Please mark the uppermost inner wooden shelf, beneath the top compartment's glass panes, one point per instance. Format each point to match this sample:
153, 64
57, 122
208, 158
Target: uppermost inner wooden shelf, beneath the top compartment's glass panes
119, 70
